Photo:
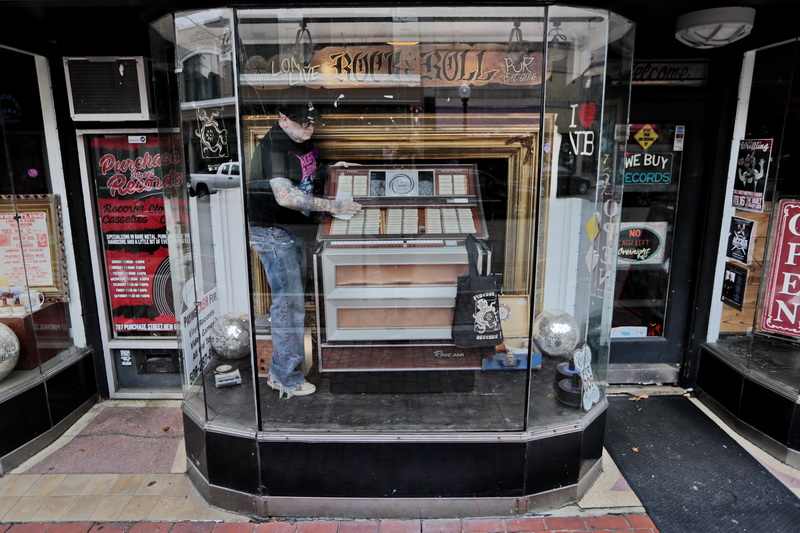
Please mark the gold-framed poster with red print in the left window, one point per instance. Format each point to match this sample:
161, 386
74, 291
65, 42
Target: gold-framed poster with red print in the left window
32, 244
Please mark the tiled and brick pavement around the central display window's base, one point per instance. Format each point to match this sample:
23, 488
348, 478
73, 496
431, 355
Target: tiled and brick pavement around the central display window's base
90, 480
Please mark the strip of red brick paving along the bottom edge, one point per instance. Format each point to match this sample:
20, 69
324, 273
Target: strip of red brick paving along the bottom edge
624, 523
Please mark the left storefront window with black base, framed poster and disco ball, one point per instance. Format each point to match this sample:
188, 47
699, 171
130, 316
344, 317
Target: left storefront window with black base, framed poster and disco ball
41, 379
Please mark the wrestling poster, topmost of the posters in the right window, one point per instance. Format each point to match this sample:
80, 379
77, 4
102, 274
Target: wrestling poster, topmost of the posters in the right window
752, 168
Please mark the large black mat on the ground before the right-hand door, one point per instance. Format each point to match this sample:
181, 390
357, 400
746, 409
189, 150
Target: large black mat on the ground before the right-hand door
690, 475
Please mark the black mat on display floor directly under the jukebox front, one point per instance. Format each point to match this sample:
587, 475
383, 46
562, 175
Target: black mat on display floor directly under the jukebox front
406, 382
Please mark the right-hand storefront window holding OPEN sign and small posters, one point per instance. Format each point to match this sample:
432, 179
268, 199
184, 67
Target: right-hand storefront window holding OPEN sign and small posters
758, 325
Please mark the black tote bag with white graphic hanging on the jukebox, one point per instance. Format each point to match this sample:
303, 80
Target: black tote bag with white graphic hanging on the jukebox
476, 321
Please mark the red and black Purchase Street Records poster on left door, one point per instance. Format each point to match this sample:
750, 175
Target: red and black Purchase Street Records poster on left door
129, 179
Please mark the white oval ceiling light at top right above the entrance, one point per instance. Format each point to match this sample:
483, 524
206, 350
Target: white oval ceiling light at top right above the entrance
712, 28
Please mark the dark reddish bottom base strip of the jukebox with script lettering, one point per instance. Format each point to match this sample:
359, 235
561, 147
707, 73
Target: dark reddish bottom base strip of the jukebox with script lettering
391, 358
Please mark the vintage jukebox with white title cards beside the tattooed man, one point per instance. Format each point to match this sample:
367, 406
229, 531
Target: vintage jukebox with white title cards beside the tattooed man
386, 278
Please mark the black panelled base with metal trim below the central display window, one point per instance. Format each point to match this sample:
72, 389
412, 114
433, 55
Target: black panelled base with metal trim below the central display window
402, 477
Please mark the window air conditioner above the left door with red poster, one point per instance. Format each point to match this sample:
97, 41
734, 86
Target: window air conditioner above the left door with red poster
108, 88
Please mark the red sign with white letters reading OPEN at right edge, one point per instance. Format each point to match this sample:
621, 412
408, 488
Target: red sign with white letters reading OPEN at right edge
782, 294
